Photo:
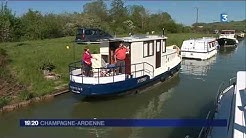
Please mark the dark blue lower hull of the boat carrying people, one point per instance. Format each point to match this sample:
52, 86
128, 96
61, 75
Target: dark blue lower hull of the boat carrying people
121, 87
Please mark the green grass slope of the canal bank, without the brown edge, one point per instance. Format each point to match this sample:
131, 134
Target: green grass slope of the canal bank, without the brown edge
26, 59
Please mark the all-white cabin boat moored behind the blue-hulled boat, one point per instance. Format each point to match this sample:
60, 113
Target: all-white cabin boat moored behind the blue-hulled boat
201, 48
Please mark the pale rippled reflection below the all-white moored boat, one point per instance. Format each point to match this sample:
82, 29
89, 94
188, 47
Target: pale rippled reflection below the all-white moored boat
197, 67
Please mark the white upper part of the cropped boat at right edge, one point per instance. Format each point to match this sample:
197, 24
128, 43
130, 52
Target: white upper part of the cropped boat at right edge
240, 116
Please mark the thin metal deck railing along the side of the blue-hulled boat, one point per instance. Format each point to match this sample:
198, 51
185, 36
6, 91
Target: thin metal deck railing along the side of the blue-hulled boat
144, 68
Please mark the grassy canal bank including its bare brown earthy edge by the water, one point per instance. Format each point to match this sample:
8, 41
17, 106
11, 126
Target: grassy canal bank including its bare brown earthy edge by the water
22, 63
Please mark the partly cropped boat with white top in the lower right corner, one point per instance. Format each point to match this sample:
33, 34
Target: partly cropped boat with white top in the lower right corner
230, 105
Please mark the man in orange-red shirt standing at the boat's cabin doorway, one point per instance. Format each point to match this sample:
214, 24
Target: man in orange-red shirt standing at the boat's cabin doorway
120, 55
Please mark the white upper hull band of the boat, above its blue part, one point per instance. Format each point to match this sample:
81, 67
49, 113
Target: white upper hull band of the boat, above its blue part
101, 75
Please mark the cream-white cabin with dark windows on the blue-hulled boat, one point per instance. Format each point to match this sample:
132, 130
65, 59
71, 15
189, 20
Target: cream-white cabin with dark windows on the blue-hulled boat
149, 49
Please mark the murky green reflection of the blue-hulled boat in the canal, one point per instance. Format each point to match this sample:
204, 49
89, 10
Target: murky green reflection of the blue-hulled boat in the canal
148, 104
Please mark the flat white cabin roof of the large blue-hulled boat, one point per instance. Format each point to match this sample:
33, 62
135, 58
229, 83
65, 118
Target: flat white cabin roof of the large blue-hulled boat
138, 38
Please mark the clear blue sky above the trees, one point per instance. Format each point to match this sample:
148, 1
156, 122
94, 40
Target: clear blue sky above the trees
183, 12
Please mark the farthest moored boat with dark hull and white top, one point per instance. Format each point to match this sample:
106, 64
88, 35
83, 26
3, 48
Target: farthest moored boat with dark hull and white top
227, 38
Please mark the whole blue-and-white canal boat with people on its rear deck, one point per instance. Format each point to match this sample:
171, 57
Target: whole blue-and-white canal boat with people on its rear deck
148, 61
